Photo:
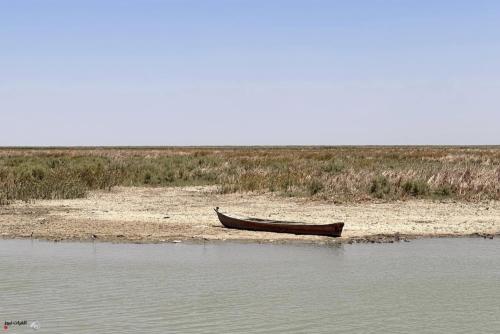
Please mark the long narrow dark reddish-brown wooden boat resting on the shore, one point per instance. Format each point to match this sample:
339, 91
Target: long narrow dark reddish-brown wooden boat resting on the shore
256, 224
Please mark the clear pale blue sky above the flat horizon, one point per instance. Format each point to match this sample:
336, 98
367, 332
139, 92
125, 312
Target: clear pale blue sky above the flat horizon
235, 72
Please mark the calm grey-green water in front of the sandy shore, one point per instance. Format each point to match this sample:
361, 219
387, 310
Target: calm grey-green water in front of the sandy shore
426, 286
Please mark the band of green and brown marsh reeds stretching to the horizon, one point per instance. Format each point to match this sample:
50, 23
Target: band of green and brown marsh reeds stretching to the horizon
341, 174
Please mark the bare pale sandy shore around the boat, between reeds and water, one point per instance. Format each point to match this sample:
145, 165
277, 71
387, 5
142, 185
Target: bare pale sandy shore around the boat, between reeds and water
186, 214
